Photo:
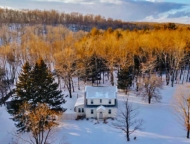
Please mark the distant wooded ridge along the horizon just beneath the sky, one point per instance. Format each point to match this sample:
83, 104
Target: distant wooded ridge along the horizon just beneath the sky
75, 21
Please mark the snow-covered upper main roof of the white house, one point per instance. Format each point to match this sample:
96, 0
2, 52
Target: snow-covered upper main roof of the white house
107, 92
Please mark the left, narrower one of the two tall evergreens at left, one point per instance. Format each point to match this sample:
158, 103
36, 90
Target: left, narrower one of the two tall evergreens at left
23, 93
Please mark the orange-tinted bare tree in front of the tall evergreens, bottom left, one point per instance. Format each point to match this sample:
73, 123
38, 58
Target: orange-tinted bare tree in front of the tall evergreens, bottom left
39, 121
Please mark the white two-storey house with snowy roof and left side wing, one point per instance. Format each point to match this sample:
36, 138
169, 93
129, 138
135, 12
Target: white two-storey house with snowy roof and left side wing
98, 102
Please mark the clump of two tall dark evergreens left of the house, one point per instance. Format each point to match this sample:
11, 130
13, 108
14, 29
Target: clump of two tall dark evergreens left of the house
35, 86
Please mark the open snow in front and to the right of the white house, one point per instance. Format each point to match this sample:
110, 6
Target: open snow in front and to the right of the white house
161, 125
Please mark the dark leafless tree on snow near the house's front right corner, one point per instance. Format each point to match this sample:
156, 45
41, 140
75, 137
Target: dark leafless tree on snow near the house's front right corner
127, 121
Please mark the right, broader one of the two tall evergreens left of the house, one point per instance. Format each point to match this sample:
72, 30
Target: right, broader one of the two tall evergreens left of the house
45, 90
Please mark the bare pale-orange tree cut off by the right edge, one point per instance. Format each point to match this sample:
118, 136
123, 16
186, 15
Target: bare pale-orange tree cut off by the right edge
181, 105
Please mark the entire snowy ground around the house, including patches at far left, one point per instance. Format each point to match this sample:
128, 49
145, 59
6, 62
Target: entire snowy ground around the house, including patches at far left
161, 125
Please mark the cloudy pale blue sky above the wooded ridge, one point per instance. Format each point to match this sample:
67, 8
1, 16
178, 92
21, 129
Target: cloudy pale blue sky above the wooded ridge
126, 10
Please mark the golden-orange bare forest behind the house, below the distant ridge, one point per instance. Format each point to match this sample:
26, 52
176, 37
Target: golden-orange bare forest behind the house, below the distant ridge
88, 54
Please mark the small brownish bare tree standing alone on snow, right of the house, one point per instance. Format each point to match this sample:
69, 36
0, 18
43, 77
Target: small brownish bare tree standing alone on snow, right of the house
149, 88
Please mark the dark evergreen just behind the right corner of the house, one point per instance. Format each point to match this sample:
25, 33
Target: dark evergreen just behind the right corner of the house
125, 78
